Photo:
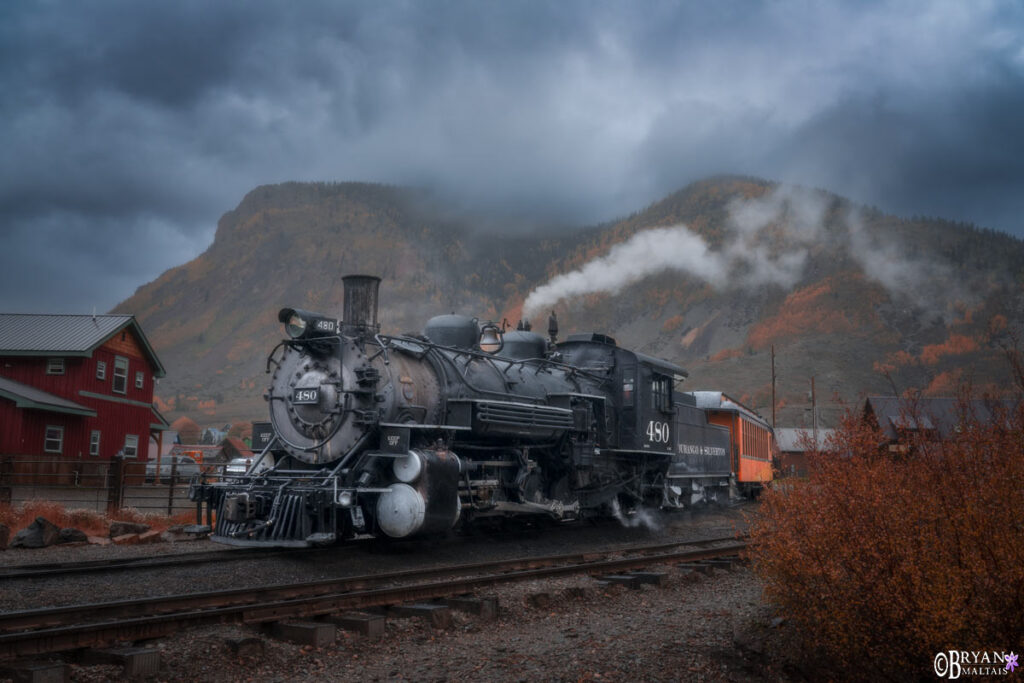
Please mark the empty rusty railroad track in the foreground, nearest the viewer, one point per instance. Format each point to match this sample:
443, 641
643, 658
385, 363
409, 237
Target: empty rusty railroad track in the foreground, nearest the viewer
36, 632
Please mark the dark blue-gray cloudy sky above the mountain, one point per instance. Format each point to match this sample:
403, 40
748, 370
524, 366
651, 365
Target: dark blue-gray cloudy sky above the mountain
129, 127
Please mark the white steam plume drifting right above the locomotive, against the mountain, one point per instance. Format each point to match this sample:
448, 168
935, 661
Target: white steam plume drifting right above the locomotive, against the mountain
769, 243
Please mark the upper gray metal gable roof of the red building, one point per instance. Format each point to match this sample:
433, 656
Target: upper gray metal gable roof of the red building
40, 334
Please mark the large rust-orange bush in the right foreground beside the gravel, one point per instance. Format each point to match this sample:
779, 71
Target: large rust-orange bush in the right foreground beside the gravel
886, 557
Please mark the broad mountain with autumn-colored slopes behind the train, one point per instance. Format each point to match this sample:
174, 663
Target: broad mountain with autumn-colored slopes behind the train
860, 301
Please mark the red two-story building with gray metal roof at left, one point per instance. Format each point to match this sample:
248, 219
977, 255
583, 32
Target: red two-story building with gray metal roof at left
77, 388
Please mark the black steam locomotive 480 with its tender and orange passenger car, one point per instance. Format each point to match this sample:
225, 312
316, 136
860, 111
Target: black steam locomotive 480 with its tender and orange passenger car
403, 436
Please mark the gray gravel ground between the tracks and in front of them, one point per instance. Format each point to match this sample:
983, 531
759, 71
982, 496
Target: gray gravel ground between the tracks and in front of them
693, 628
